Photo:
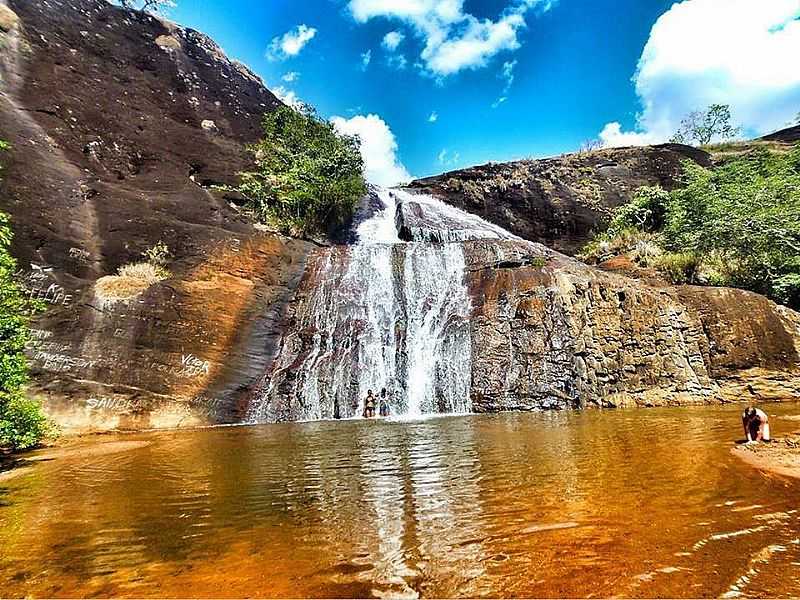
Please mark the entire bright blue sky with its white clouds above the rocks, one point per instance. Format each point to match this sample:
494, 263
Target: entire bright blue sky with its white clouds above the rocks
462, 82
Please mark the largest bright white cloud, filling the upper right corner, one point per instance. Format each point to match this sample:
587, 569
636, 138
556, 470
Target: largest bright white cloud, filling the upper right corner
703, 52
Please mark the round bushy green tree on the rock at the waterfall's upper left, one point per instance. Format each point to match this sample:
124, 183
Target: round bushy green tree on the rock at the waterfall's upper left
308, 177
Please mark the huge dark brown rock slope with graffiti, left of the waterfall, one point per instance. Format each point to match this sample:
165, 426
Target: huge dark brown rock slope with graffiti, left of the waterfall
105, 111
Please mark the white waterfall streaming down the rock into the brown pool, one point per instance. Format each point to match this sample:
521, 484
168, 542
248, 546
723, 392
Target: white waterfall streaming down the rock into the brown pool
383, 313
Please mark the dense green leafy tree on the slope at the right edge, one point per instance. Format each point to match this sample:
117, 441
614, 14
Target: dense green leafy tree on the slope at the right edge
747, 213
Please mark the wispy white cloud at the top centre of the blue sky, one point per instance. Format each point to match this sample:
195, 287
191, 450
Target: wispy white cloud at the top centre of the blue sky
453, 39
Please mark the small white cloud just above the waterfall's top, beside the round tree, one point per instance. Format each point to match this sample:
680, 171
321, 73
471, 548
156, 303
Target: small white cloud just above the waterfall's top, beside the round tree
378, 146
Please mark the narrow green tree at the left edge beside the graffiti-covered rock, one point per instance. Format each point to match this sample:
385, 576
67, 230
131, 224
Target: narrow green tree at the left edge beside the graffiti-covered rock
22, 422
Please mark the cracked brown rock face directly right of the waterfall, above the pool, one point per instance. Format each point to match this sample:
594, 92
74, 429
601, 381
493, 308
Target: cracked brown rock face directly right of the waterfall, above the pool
568, 336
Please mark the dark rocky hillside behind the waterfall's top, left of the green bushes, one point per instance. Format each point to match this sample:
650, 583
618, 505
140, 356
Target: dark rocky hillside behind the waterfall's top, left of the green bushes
559, 202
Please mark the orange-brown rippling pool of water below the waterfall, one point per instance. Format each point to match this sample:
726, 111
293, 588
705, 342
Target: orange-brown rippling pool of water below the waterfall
628, 503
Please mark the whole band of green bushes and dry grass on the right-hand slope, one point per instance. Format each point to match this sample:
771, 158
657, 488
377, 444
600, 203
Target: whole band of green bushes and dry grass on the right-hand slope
735, 225
